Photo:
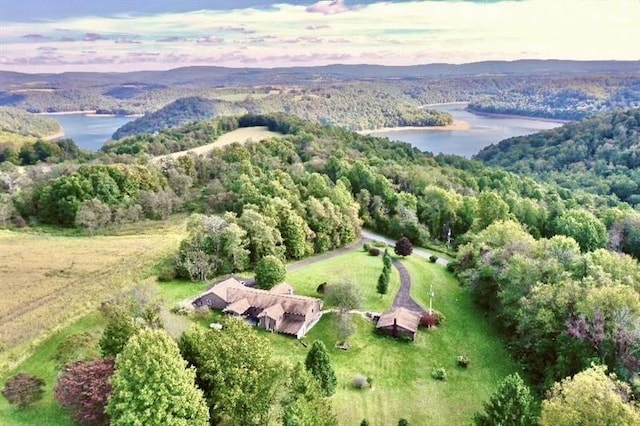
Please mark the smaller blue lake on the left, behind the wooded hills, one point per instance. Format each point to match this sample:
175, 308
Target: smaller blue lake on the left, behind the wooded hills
89, 132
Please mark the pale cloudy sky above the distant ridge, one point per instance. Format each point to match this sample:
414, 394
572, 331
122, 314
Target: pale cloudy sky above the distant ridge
128, 35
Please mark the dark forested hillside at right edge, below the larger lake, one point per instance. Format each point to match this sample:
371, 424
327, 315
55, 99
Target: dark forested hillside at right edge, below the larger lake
599, 155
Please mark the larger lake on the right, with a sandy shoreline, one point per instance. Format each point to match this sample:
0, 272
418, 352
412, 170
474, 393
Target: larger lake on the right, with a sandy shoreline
483, 131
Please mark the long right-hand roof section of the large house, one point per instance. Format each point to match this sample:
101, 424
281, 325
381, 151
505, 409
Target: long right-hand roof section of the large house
292, 304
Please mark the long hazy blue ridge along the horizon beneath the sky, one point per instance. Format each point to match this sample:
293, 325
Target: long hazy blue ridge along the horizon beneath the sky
214, 74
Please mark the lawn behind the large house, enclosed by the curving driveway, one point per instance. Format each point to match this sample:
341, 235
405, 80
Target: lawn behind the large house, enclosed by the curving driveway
357, 267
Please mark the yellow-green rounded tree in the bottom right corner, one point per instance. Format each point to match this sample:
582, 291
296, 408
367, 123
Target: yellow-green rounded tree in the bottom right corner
590, 398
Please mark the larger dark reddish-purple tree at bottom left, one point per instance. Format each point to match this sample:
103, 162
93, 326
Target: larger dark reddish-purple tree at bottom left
84, 389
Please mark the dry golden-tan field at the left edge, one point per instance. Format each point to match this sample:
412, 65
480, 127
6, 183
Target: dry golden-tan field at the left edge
46, 281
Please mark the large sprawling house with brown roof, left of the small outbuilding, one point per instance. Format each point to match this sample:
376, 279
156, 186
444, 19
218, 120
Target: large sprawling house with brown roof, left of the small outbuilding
277, 310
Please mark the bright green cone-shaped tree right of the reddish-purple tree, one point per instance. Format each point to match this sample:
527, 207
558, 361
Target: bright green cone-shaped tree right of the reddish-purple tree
152, 385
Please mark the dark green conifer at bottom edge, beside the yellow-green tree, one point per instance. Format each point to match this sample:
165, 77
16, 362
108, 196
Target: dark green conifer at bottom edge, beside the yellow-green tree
511, 404
